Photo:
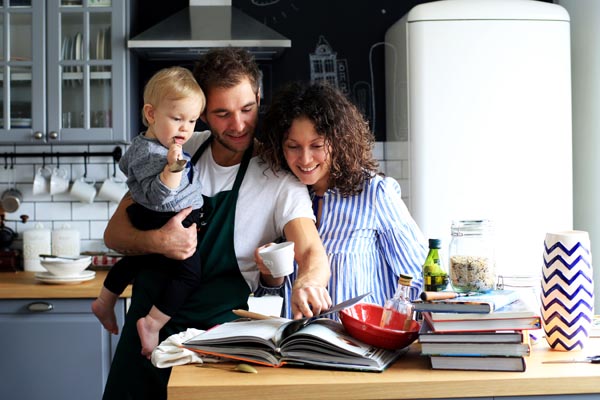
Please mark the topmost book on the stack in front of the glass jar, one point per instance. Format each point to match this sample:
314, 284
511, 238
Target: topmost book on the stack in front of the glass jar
470, 303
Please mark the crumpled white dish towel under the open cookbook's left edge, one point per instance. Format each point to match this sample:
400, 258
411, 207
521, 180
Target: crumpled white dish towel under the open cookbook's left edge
169, 353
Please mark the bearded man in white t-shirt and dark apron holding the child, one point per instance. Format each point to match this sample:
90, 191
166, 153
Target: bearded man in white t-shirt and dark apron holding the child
245, 206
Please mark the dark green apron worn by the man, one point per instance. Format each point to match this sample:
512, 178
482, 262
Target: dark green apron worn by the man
222, 289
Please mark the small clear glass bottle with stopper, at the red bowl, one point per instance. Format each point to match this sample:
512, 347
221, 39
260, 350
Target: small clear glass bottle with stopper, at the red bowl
398, 311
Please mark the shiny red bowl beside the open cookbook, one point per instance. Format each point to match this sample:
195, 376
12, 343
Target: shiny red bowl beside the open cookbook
361, 321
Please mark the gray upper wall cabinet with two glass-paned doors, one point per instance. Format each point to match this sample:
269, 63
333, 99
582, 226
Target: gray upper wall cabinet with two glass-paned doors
63, 71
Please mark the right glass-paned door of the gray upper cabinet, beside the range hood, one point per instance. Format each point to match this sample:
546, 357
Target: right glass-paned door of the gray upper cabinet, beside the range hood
88, 77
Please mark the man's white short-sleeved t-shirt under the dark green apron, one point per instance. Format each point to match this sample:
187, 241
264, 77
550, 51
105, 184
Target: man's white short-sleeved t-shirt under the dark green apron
266, 203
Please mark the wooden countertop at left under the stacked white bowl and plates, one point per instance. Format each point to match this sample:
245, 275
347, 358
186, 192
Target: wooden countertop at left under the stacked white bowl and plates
23, 285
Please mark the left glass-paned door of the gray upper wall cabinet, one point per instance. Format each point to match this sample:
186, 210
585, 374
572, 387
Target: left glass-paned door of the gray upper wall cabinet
21, 70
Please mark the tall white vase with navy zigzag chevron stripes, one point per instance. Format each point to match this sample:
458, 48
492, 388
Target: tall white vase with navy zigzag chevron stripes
567, 290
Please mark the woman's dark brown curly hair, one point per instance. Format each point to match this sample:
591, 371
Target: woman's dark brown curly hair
343, 127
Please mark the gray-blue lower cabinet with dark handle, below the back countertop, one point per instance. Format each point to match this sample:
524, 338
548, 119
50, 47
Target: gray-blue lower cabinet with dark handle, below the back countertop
54, 349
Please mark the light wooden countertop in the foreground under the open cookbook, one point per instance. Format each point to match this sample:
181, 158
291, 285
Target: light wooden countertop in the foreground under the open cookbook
409, 378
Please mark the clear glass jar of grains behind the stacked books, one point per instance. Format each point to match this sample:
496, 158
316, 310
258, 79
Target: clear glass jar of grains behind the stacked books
472, 264
